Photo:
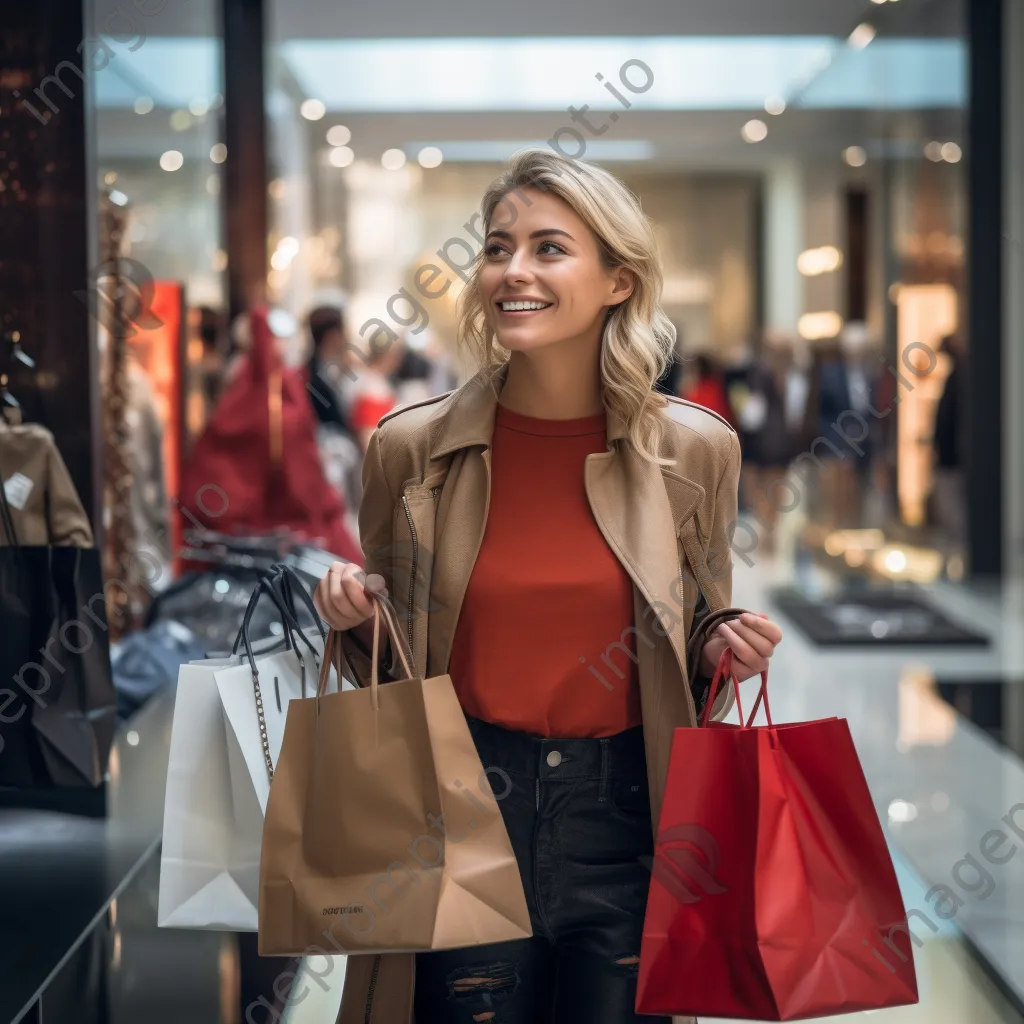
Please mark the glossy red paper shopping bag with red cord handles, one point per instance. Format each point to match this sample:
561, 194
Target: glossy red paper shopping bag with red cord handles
774, 897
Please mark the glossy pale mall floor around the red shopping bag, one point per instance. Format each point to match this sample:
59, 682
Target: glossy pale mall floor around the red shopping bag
947, 783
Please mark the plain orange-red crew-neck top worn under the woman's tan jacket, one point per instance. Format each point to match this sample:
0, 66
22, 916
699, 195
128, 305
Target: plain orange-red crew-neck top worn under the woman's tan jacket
544, 643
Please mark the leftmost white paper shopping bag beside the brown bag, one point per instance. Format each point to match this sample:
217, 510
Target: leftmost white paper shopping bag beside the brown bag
214, 817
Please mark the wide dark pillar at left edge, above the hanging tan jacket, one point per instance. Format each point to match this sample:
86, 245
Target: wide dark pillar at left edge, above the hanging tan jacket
45, 230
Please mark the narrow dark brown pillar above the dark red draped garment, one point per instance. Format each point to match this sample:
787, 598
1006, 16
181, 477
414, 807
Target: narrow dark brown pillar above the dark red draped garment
245, 169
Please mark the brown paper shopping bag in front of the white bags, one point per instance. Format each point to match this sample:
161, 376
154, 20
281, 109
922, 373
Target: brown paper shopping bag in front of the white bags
383, 833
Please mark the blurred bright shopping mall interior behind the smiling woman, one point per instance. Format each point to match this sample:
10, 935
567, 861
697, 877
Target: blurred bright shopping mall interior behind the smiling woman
214, 211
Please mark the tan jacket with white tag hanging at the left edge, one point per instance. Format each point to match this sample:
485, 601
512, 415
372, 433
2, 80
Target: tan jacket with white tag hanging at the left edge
45, 504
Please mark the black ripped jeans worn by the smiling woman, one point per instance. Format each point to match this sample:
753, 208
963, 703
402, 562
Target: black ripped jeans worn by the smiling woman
579, 817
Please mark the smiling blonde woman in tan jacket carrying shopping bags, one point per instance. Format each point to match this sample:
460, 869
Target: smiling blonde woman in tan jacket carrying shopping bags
562, 518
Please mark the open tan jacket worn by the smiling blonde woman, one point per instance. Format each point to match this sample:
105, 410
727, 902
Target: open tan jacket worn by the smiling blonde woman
426, 493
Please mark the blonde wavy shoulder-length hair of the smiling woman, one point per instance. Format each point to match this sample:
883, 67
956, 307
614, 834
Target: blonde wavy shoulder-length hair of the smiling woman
639, 338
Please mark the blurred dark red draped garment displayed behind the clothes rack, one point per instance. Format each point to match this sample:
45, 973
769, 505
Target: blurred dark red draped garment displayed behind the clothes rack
257, 468
